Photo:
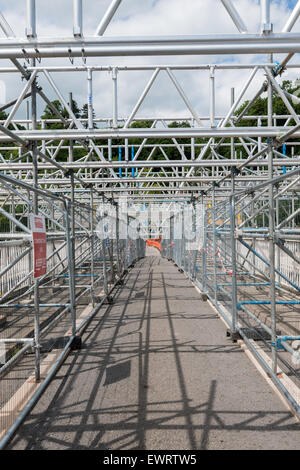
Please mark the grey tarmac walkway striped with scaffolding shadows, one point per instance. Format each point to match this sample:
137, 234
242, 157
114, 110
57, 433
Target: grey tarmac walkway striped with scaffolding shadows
156, 371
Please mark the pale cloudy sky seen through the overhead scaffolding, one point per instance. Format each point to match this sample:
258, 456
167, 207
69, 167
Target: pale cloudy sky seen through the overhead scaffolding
144, 18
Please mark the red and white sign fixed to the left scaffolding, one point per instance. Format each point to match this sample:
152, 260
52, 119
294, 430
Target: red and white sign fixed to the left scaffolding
39, 239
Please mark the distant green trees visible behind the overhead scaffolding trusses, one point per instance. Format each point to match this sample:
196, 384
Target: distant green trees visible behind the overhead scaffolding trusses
259, 108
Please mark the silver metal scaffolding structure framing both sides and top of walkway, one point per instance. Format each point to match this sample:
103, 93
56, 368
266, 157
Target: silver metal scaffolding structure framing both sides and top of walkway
244, 210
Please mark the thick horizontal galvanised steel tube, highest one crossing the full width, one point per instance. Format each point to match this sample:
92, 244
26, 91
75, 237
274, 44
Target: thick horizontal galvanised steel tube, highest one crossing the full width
225, 45
